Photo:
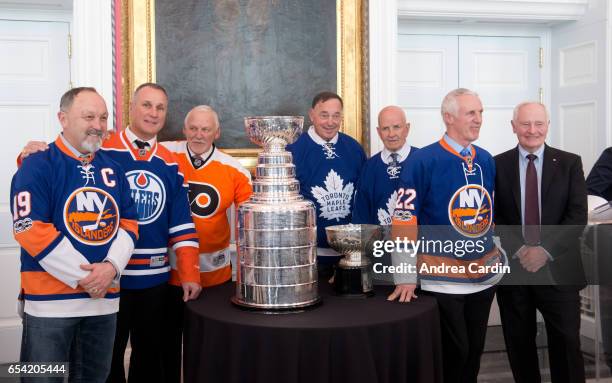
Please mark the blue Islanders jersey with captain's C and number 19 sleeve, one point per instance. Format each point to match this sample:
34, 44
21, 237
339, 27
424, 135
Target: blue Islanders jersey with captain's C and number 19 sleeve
68, 212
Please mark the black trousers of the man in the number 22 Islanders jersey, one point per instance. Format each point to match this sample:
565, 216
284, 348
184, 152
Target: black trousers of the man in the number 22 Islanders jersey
463, 321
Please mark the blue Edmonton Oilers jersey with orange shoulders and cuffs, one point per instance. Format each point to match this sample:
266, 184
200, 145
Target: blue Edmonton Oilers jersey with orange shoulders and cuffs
164, 217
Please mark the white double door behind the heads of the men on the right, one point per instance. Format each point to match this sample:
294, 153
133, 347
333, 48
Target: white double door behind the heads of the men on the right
503, 70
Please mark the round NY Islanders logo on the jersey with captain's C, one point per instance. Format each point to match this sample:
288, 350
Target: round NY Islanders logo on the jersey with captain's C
91, 216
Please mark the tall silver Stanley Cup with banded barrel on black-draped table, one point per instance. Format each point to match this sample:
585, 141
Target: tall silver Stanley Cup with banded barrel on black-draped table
277, 232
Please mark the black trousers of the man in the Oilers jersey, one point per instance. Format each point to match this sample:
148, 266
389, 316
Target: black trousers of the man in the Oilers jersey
141, 318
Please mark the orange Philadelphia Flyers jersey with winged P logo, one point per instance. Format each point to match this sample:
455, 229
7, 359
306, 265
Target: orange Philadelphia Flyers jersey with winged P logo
214, 186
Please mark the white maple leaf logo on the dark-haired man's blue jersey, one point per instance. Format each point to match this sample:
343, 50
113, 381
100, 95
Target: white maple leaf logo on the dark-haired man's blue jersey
335, 200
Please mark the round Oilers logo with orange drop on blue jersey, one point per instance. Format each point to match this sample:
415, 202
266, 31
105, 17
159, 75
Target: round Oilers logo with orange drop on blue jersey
148, 193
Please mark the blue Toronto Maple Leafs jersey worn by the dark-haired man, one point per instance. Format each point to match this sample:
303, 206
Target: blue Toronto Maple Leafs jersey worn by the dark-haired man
328, 176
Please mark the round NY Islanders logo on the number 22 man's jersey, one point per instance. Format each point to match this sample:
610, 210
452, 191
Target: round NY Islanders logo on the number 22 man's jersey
469, 210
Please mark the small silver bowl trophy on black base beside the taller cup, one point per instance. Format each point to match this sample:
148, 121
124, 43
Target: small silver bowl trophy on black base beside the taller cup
353, 275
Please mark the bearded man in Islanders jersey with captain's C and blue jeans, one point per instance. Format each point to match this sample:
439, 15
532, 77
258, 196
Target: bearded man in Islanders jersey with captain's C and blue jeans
76, 223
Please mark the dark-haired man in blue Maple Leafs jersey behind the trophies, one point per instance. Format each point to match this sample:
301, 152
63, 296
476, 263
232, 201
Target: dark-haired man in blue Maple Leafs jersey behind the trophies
328, 164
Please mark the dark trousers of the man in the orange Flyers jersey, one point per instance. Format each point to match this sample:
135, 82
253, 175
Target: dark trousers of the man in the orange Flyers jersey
173, 337
